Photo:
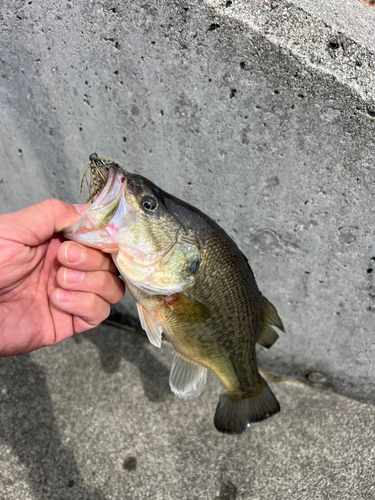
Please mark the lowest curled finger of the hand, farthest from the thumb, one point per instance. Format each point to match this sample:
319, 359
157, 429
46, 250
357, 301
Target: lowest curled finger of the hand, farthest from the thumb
89, 307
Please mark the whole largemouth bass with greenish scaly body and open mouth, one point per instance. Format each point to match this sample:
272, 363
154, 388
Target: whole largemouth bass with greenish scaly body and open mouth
192, 286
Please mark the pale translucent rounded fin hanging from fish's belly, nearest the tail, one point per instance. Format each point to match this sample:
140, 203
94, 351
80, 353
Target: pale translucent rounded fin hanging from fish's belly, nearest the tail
187, 379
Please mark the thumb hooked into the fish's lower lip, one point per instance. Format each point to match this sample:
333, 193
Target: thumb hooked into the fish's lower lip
37, 223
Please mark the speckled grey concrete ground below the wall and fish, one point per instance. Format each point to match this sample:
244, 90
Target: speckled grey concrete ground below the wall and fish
93, 418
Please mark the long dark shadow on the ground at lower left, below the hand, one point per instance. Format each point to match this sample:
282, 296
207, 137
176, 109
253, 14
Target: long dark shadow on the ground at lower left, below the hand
27, 425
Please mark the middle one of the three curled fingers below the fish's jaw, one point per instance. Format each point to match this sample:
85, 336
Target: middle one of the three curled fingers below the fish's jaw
103, 283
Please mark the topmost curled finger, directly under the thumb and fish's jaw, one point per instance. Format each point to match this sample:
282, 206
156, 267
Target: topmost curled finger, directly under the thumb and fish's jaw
76, 256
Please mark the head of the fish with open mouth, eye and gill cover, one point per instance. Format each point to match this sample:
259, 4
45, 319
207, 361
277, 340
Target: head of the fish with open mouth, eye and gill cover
131, 219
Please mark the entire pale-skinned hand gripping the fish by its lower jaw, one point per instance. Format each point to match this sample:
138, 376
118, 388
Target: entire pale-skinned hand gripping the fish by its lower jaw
50, 288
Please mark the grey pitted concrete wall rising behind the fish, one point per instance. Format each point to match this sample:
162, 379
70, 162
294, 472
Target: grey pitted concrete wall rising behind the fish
260, 113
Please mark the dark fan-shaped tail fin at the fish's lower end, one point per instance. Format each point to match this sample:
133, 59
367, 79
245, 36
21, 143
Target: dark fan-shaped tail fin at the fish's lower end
234, 414
